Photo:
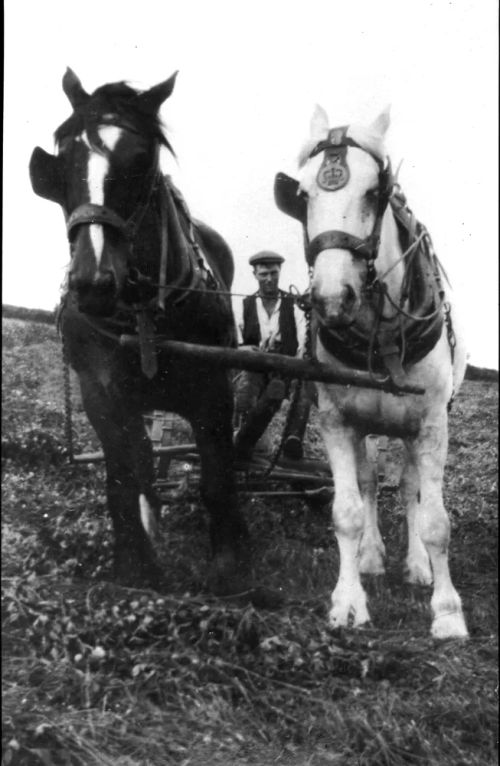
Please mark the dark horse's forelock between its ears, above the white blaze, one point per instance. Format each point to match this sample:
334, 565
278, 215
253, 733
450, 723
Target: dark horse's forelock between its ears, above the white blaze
119, 100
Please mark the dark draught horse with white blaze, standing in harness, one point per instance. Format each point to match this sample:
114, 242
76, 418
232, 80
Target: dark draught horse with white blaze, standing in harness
139, 265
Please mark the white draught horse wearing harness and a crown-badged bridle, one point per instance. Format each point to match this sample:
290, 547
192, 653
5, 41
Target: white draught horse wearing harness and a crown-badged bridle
380, 300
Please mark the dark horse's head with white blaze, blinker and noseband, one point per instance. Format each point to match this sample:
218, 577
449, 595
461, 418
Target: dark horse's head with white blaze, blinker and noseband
103, 175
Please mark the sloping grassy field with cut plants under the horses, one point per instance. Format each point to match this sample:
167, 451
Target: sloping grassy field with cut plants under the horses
97, 675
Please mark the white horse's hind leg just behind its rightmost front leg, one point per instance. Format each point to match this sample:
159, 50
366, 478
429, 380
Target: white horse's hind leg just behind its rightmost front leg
417, 568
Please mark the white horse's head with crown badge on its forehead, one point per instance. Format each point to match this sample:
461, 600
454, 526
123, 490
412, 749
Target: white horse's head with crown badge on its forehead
346, 183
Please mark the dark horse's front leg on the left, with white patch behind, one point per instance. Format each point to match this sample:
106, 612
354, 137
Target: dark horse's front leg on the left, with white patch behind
128, 458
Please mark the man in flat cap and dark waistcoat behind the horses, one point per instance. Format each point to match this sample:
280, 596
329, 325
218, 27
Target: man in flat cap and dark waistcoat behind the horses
271, 321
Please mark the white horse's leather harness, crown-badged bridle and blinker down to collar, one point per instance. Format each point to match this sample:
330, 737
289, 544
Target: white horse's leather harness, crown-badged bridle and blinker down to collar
407, 336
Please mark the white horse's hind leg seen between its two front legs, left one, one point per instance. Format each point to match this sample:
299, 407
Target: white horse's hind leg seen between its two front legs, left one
372, 549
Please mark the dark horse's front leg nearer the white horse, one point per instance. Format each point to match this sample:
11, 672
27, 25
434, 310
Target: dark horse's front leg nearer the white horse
211, 420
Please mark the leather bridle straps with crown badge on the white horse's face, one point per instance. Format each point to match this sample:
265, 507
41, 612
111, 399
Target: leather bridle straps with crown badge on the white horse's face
335, 148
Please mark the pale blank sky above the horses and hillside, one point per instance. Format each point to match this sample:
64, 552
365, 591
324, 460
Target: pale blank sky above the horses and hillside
250, 74
